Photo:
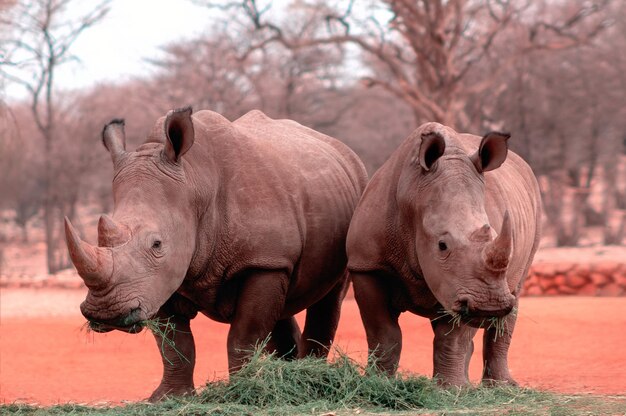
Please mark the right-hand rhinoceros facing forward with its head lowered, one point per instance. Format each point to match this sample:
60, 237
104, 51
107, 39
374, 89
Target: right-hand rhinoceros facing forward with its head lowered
422, 240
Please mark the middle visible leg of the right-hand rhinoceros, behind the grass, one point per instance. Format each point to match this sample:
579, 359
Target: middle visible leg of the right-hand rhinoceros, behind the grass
452, 350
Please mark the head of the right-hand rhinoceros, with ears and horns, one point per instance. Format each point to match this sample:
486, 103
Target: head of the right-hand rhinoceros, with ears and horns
461, 261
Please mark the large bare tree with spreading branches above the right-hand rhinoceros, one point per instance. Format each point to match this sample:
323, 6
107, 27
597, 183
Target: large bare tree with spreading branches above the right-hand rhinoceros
422, 51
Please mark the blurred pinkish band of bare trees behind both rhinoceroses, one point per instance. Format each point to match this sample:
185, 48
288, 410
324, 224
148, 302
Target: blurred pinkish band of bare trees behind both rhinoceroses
551, 72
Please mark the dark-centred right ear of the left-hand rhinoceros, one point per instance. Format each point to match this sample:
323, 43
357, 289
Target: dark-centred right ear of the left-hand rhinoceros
179, 132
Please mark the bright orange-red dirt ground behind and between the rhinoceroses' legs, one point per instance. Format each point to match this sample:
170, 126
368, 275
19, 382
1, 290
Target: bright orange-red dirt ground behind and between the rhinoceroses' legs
564, 344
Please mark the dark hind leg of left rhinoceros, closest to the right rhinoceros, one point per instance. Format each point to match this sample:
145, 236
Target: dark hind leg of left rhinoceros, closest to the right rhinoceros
321, 321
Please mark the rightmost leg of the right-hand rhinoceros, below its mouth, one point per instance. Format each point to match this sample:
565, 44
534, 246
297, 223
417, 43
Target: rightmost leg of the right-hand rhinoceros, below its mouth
495, 353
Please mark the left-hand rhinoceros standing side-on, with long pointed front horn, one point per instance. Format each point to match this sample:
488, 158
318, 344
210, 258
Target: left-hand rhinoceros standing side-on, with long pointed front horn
243, 221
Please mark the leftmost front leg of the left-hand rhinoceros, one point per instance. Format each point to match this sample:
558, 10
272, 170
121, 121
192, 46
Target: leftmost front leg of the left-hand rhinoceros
178, 354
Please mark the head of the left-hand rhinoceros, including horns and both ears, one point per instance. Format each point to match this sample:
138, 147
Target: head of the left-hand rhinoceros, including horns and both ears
145, 249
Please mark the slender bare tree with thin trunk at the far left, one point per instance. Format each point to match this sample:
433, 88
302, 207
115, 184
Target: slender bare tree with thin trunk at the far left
39, 37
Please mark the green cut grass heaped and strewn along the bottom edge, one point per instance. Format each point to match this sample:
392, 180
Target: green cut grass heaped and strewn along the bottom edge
271, 386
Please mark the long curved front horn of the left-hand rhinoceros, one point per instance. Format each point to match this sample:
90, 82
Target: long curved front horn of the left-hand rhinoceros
94, 264
